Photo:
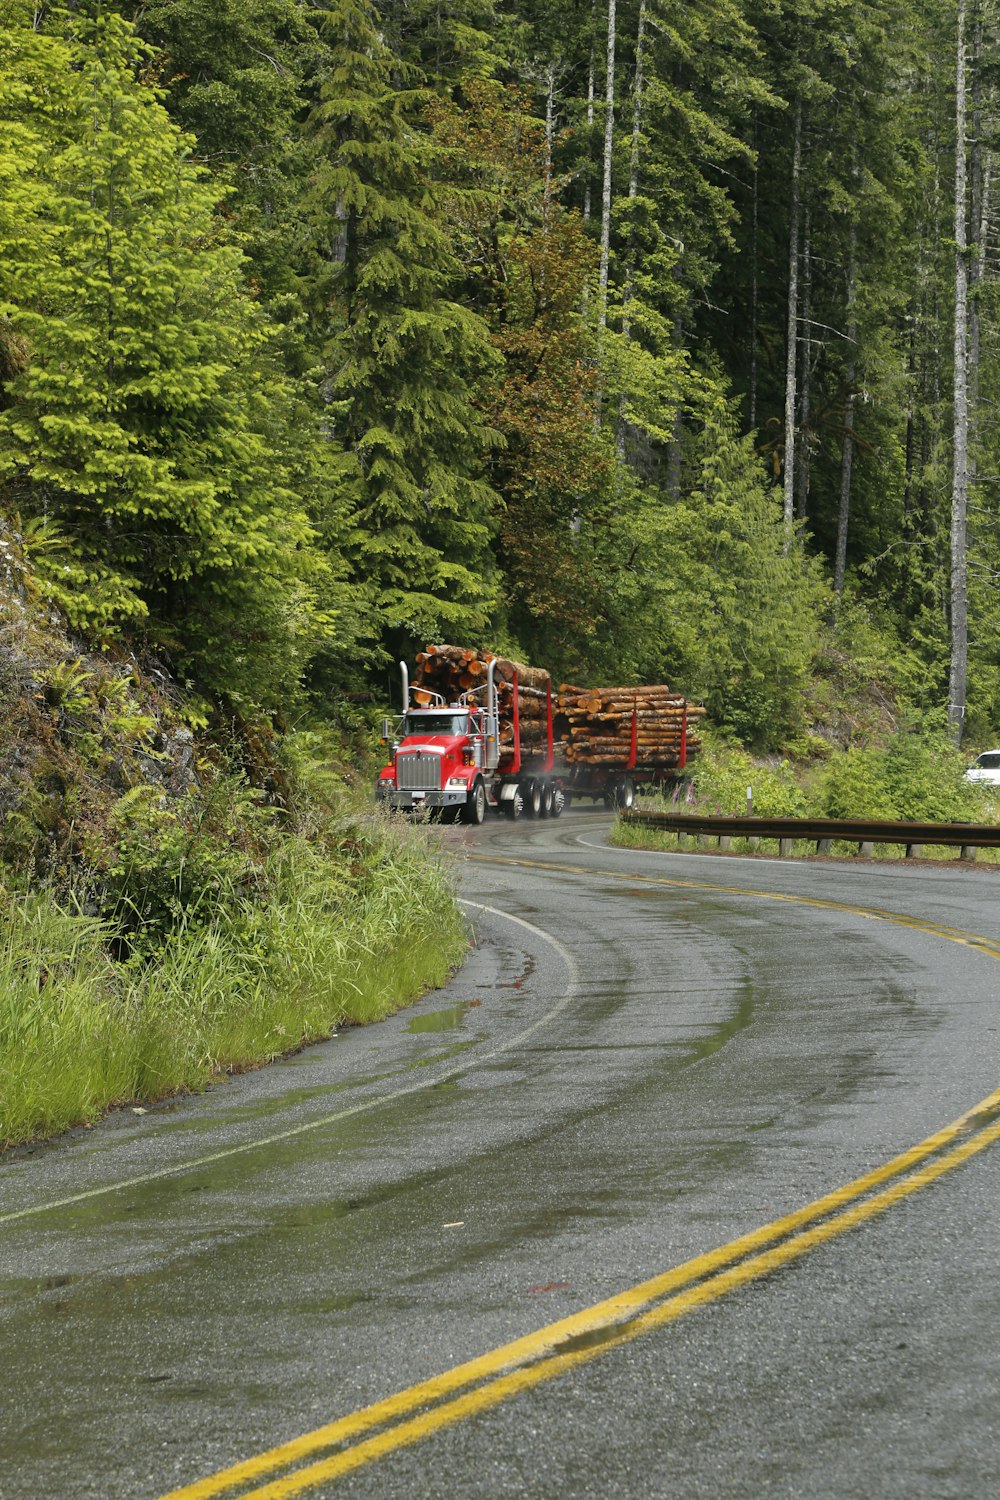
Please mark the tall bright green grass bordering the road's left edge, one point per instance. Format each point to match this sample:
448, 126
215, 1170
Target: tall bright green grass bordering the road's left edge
334, 944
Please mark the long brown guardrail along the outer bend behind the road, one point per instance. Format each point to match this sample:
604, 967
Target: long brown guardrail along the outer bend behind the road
825, 832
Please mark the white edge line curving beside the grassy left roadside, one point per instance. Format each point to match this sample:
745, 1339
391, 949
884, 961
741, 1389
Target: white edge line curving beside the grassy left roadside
343, 1115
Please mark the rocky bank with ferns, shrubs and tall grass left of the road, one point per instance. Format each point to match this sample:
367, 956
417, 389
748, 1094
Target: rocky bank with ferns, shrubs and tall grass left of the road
181, 902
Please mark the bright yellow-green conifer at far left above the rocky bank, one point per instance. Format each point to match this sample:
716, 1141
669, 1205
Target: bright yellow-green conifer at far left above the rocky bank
146, 425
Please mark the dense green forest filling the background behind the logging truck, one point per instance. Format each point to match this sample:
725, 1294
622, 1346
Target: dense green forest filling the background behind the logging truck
645, 340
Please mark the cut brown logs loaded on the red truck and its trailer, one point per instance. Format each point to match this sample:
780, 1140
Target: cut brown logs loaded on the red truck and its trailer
591, 727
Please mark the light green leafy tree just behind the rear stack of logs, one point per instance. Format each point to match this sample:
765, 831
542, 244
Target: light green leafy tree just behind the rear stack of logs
717, 598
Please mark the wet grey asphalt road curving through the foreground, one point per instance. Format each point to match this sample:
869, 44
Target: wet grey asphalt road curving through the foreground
623, 1078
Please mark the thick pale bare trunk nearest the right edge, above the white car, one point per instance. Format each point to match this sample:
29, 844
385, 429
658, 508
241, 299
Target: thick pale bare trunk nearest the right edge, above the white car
960, 445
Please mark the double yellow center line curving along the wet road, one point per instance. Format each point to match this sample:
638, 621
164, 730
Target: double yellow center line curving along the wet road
542, 1355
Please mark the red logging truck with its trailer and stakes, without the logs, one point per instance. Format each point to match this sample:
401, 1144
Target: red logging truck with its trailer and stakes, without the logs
460, 758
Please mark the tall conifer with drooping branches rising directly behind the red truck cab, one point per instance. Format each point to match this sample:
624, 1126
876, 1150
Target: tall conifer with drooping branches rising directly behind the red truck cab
404, 358
